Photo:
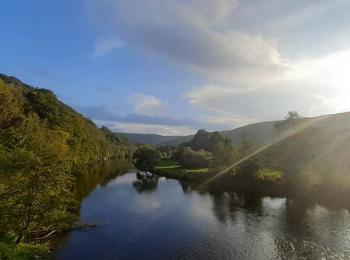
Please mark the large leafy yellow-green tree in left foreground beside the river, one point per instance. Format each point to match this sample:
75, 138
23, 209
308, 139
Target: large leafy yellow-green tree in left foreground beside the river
35, 185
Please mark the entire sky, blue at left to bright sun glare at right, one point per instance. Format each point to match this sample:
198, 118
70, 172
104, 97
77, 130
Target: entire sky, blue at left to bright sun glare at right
173, 66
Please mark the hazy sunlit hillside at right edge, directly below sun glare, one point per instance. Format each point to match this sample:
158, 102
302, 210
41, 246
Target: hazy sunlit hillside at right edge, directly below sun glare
318, 146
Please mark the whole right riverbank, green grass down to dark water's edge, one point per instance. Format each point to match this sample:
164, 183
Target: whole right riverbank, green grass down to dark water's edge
266, 183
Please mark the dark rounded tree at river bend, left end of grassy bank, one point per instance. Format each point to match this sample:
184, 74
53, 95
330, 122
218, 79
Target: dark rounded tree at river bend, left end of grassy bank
146, 158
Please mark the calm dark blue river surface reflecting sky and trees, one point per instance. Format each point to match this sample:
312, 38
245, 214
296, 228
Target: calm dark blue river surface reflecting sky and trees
164, 219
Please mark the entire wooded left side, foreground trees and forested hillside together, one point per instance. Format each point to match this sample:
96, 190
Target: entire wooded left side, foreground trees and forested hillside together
43, 143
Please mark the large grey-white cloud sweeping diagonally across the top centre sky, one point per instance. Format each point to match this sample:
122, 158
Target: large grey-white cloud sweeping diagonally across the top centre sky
192, 33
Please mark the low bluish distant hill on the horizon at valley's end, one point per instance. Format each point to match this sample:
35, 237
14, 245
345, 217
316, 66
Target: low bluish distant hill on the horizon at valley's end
155, 139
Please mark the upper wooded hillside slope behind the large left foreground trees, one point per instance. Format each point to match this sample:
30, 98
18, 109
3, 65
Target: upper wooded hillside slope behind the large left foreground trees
87, 143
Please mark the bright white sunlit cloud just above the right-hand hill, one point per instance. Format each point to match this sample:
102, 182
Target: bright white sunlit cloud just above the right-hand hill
313, 86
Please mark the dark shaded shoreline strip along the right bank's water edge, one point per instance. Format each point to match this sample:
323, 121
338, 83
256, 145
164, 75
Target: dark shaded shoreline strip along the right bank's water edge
315, 195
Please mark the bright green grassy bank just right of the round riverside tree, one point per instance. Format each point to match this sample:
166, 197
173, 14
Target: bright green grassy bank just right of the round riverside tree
172, 169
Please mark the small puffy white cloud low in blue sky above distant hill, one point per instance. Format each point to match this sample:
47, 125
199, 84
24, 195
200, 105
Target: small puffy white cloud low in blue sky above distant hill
145, 104
